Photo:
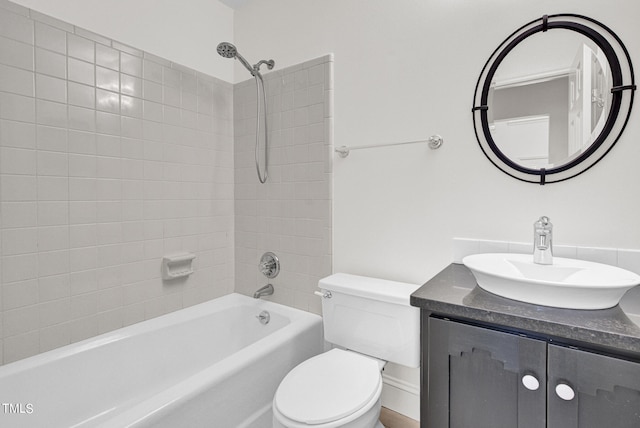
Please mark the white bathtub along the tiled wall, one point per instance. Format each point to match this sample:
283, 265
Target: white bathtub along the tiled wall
210, 365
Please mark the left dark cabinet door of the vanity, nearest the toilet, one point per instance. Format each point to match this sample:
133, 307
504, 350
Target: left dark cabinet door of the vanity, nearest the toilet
476, 378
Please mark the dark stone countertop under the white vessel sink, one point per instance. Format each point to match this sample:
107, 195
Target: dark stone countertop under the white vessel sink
454, 293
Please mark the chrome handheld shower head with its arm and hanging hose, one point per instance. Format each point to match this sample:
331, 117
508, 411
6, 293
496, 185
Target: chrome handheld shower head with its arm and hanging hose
227, 50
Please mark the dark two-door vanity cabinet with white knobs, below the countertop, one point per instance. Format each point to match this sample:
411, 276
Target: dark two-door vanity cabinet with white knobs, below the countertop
484, 377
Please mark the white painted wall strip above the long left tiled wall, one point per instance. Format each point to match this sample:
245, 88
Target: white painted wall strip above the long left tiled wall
186, 32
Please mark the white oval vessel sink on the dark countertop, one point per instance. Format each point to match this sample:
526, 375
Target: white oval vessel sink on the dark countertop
567, 283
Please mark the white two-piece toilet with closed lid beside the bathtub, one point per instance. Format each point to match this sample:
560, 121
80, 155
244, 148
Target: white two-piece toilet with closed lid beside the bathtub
371, 323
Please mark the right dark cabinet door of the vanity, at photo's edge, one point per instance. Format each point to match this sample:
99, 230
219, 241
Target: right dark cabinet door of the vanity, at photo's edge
597, 391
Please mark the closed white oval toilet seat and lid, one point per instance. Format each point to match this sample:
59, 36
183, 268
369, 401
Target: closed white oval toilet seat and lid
329, 387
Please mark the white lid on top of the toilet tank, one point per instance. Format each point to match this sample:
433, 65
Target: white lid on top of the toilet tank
371, 288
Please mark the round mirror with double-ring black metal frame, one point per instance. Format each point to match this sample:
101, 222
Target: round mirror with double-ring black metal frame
553, 98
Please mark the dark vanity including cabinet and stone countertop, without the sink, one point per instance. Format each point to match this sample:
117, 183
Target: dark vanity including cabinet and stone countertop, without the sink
489, 361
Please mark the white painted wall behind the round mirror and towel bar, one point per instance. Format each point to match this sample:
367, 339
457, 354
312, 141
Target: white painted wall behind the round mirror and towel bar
406, 70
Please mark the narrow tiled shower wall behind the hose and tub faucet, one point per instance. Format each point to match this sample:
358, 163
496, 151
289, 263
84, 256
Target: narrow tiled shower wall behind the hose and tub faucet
291, 213
